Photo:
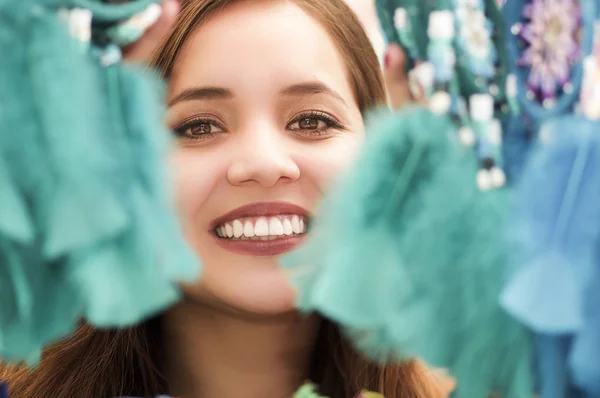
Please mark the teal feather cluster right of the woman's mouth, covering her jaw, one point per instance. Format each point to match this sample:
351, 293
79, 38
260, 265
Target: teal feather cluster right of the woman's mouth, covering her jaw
409, 256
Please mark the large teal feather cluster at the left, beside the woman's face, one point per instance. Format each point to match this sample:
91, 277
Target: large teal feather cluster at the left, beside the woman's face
87, 226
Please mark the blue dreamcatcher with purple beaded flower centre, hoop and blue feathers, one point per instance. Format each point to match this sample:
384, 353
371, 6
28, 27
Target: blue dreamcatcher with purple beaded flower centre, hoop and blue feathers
556, 288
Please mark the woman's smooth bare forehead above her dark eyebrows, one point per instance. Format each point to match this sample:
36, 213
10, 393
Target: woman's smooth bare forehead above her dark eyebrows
257, 45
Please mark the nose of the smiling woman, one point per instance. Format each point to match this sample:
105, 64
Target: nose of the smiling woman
262, 156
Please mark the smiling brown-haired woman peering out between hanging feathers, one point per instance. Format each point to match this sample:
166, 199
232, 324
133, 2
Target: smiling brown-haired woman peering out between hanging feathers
266, 99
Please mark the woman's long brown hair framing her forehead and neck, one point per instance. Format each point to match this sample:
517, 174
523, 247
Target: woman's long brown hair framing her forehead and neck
109, 363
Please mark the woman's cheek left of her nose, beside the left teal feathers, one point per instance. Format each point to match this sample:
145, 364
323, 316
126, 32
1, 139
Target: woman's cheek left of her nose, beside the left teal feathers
194, 175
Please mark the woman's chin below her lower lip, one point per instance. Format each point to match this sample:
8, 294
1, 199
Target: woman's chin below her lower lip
262, 291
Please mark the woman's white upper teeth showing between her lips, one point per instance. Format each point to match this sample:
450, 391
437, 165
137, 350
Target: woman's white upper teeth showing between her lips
262, 227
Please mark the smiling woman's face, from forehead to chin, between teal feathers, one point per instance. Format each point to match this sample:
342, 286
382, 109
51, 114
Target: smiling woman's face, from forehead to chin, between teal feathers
266, 116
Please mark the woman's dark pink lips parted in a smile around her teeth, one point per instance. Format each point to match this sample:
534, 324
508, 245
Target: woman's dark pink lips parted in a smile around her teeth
273, 247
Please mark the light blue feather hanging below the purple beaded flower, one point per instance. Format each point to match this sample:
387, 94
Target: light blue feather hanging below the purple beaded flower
554, 227
